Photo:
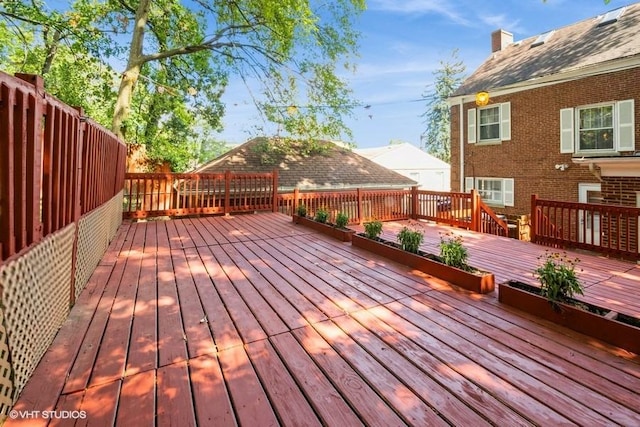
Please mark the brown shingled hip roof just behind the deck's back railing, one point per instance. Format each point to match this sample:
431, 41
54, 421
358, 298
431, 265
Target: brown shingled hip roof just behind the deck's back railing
338, 168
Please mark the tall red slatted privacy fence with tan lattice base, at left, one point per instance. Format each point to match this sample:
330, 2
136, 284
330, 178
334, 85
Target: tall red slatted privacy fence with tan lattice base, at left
61, 178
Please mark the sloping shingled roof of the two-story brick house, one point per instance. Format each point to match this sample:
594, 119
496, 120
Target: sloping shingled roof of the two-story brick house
570, 48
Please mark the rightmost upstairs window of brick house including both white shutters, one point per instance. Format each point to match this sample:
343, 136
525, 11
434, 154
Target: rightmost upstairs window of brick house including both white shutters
597, 129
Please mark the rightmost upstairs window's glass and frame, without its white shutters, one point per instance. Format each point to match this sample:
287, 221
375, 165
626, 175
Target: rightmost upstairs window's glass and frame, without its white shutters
595, 128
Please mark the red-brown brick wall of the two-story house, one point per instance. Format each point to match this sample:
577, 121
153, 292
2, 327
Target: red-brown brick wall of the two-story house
534, 149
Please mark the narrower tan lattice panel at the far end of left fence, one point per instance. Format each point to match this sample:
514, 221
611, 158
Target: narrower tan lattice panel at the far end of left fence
95, 231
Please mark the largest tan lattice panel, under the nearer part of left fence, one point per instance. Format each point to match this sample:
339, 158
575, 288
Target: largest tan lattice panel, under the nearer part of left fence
35, 300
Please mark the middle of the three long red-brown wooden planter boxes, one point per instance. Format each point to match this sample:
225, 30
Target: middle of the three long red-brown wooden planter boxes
481, 283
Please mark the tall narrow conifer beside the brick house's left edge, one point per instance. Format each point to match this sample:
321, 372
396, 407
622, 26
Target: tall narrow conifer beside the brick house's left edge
436, 139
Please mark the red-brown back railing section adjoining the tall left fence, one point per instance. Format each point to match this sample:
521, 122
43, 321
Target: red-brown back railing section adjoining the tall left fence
172, 194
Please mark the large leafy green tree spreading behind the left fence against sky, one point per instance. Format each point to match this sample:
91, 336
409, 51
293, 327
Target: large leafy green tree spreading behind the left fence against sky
174, 59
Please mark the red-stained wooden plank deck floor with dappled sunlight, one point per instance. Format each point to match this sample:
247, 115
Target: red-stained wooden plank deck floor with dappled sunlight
254, 321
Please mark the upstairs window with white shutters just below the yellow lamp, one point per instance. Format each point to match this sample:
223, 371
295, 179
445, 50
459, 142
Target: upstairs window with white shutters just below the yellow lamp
489, 124
